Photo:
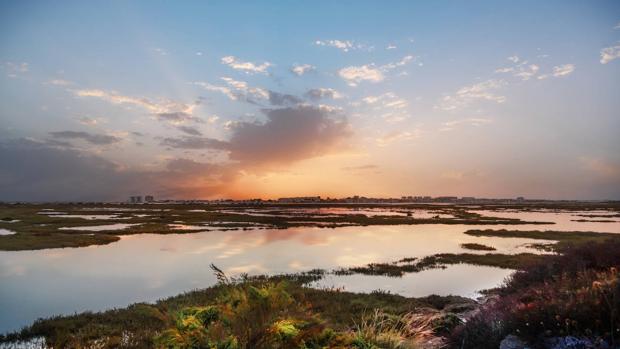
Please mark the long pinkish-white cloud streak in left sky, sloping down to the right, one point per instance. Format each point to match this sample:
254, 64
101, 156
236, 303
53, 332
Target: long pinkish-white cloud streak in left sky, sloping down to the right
163, 109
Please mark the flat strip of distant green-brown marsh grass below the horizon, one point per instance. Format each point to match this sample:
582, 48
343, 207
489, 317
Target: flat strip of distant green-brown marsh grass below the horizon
38, 231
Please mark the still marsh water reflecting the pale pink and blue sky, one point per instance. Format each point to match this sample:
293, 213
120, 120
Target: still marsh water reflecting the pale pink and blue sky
148, 267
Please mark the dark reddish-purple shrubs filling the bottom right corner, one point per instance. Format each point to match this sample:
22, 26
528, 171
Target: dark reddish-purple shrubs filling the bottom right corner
575, 293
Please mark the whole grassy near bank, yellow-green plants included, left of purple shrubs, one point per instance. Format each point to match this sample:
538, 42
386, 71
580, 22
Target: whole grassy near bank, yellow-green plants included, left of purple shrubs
249, 309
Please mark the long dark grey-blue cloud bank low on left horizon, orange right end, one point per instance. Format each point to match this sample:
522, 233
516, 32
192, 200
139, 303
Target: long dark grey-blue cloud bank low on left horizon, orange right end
40, 172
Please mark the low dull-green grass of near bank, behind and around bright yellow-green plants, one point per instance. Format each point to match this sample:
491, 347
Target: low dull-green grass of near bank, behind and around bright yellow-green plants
140, 324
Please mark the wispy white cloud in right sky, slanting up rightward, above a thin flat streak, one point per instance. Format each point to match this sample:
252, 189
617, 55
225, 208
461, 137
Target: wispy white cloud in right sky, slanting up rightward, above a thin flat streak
480, 91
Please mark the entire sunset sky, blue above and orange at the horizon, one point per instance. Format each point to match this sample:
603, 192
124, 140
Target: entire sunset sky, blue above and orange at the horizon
231, 99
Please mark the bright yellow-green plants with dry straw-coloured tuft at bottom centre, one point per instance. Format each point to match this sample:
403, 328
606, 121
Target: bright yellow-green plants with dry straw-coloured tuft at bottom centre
265, 315
